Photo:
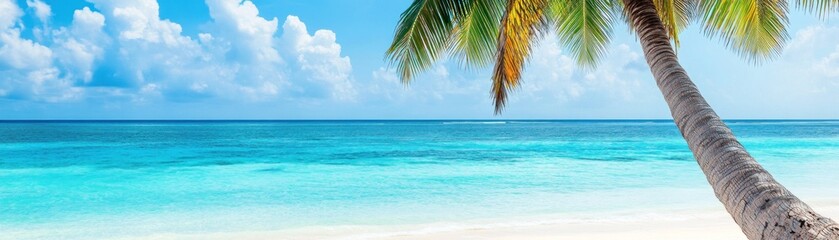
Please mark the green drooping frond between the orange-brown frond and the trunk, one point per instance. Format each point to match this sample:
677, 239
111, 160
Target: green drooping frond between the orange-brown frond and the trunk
584, 27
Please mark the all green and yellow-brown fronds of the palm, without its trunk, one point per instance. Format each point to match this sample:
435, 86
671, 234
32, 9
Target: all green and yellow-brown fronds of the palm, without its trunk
480, 32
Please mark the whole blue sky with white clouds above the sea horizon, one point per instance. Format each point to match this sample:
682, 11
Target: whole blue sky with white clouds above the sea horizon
233, 59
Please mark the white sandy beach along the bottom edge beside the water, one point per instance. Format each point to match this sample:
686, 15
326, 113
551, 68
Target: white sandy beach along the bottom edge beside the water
707, 223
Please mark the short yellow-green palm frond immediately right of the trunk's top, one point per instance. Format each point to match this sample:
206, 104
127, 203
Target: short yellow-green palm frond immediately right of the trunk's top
675, 15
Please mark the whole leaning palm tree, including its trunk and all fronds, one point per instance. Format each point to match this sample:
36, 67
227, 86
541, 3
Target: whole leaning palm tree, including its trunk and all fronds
479, 32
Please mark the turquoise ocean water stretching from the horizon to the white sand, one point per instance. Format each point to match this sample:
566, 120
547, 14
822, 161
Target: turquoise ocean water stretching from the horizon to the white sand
112, 179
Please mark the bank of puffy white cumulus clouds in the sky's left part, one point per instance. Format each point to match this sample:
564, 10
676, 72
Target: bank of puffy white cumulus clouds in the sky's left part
125, 50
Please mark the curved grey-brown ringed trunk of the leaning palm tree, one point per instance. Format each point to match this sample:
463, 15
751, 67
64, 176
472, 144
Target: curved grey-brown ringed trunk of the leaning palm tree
762, 207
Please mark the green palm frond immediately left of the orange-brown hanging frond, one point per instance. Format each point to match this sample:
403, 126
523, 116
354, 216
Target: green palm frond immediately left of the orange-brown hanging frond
477, 32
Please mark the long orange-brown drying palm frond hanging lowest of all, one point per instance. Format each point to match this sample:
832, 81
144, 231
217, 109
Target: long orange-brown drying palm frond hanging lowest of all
520, 24
